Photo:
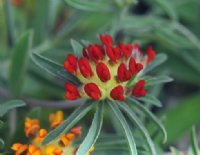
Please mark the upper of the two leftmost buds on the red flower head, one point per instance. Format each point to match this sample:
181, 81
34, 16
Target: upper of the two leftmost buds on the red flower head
70, 63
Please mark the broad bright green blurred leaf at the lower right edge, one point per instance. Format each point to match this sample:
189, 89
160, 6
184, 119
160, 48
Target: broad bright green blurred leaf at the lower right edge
182, 117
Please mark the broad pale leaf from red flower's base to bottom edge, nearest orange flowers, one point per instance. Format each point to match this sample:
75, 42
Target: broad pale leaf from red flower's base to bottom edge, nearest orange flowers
93, 132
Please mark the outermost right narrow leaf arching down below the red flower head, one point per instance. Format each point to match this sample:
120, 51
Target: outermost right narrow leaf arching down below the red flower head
150, 115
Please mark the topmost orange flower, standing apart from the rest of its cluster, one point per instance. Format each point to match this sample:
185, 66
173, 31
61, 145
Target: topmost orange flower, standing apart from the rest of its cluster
56, 119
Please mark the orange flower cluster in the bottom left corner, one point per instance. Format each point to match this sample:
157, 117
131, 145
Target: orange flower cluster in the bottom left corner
61, 146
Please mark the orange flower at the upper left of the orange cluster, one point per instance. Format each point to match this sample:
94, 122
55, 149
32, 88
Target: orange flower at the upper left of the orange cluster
31, 127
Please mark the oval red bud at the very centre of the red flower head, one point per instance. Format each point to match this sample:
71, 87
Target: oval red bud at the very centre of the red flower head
103, 72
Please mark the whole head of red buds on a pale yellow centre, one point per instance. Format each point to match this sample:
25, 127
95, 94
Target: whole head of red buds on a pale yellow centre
105, 69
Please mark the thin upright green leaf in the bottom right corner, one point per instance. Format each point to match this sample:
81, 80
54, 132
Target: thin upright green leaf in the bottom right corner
194, 142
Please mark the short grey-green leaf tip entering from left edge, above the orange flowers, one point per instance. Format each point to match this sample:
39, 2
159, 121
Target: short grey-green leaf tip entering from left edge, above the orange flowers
5, 107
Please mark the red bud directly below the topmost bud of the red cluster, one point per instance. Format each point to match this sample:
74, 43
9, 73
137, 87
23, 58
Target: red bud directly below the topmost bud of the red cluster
113, 53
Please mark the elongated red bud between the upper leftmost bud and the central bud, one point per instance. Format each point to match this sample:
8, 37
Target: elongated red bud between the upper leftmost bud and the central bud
85, 67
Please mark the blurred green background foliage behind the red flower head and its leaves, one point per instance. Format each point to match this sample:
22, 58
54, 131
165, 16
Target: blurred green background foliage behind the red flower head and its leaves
46, 27
